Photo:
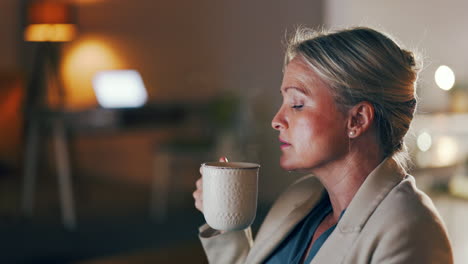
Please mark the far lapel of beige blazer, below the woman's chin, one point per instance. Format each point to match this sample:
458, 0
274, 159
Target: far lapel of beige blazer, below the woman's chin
274, 234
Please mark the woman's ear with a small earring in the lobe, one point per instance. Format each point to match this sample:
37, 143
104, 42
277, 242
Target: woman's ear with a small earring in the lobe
360, 119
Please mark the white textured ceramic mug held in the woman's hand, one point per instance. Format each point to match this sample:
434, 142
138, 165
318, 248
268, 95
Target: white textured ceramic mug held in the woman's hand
230, 194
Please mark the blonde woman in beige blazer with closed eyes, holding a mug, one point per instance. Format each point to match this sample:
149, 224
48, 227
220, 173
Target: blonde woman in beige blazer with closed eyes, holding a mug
348, 100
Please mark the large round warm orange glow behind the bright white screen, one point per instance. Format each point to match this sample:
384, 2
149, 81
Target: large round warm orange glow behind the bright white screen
81, 62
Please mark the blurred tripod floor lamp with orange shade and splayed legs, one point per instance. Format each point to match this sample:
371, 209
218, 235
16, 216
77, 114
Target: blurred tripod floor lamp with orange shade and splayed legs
49, 23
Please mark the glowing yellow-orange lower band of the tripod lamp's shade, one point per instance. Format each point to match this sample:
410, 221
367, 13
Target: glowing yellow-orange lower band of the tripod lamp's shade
50, 32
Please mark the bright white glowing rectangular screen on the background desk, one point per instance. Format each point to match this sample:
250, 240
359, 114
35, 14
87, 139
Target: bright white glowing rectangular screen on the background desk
119, 89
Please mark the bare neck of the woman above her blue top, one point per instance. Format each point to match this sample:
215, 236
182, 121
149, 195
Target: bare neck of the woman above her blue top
343, 178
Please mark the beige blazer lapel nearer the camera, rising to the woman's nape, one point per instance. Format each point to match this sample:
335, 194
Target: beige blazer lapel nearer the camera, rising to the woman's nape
374, 189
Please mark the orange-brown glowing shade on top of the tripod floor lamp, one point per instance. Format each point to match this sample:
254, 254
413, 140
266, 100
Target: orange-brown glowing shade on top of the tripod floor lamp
50, 21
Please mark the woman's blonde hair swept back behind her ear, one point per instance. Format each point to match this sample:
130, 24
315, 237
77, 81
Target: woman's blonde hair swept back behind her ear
361, 64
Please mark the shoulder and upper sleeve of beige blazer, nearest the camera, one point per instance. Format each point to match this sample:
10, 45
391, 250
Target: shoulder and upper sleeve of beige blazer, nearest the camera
407, 225
